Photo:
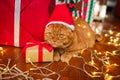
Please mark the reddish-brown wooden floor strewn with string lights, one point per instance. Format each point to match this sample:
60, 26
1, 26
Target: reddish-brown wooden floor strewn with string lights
102, 62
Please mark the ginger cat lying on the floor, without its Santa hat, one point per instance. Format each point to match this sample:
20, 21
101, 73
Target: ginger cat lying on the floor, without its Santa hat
67, 42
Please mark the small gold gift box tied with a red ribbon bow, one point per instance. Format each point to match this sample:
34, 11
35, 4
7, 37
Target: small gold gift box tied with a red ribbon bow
38, 52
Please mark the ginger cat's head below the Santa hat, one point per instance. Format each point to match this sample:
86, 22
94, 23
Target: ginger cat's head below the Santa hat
58, 35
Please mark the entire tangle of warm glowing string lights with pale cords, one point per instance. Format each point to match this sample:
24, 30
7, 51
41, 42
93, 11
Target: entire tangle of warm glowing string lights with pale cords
95, 55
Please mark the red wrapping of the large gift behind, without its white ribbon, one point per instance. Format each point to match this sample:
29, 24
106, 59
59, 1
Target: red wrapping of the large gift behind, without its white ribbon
33, 18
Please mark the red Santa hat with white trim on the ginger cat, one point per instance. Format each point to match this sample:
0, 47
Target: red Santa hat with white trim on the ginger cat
61, 15
